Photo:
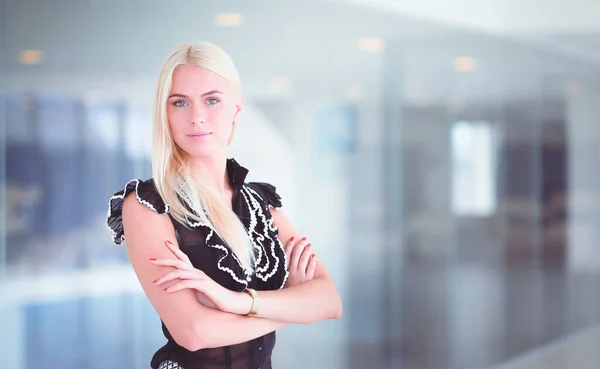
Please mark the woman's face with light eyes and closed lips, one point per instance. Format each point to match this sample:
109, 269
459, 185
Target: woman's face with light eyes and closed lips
201, 109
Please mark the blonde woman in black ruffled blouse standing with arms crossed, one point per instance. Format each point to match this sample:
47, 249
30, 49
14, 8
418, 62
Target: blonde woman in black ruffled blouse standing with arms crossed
216, 256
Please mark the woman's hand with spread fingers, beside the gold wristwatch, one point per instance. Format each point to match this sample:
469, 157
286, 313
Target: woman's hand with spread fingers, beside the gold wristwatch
208, 292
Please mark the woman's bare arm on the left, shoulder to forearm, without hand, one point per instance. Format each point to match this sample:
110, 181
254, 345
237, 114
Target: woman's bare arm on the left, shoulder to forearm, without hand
192, 325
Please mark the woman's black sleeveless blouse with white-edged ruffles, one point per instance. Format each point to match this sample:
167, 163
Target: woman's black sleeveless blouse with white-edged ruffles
251, 202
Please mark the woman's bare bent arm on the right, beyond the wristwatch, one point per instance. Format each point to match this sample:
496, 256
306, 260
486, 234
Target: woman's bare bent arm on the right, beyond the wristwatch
304, 303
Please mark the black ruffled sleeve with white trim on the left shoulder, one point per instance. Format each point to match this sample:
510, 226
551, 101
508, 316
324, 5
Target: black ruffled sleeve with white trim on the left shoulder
146, 194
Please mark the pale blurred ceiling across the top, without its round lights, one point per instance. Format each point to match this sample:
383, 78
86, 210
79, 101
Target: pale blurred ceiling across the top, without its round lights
313, 43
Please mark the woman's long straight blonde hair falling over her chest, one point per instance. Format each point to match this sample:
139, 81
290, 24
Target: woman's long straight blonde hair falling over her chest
174, 179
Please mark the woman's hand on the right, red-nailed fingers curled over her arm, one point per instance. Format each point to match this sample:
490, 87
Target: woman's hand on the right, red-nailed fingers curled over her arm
301, 261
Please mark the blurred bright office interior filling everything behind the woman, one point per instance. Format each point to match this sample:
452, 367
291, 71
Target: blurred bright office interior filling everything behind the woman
452, 147
